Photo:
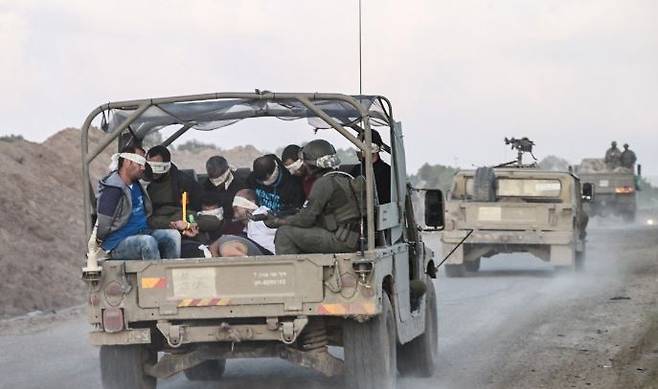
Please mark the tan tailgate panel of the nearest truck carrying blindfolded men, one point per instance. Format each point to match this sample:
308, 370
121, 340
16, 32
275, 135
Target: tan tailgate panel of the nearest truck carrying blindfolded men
225, 282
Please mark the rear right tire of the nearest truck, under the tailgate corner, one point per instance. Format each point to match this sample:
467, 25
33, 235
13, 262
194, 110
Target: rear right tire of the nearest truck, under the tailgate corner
370, 350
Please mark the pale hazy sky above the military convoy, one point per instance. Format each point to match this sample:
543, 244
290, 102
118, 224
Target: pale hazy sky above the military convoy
570, 74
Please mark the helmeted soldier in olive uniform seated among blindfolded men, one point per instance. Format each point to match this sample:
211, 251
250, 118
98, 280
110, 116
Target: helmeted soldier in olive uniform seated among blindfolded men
331, 219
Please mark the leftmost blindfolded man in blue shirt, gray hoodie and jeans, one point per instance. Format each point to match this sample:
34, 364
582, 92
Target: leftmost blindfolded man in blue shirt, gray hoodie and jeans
123, 207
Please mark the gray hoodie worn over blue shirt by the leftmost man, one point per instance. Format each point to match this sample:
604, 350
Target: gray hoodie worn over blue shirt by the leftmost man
114, 204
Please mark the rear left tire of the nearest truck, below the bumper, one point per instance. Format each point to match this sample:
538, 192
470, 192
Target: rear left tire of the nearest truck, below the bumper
122, 367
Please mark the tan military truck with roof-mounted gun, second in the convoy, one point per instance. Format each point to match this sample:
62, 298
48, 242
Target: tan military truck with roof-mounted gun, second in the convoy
514, 208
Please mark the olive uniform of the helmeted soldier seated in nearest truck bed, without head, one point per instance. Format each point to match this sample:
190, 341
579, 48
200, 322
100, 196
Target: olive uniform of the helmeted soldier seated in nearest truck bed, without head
330, 222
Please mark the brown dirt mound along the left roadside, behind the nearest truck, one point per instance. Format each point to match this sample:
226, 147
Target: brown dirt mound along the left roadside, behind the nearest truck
41, 232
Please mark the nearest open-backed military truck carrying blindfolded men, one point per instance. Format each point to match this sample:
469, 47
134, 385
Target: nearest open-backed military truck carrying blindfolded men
378, 304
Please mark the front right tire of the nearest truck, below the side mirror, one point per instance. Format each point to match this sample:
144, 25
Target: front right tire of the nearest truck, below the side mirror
419, 357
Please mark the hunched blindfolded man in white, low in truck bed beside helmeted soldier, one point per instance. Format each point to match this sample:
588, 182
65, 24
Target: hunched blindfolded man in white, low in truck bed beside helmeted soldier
256, 237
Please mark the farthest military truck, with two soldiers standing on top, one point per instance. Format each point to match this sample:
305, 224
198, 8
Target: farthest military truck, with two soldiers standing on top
614, 189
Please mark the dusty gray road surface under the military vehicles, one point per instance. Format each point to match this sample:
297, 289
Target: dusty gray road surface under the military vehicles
512, 325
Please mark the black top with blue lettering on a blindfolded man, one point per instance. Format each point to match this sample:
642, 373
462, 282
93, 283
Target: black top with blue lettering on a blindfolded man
285, 196
